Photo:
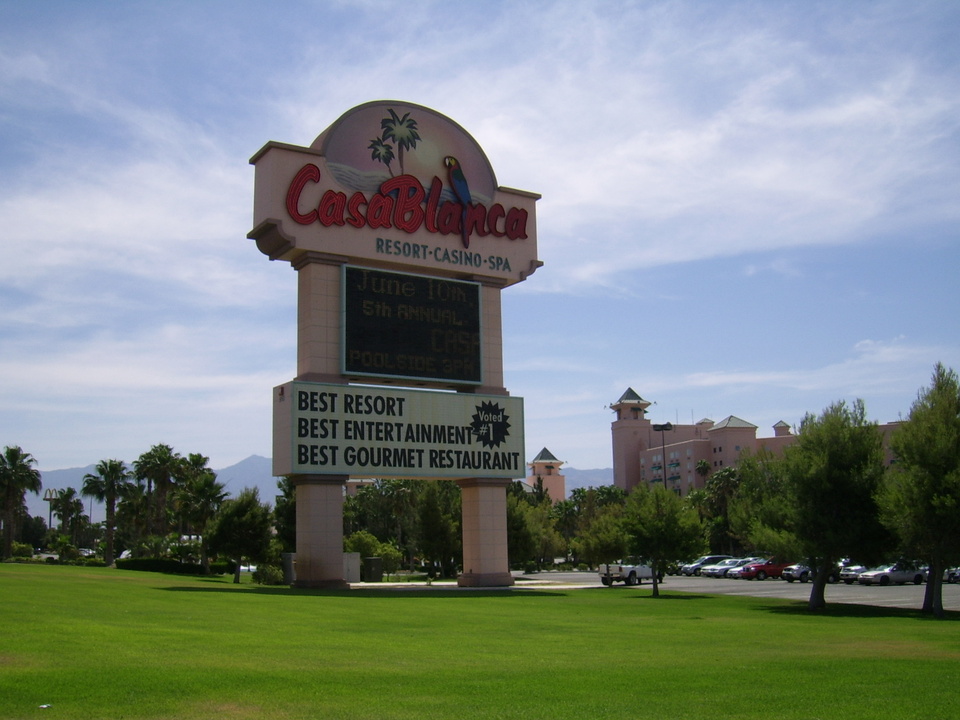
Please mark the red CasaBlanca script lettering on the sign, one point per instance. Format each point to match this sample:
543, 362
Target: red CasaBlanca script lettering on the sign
404, 204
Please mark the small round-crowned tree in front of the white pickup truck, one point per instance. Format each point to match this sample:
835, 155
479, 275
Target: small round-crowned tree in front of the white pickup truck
662, 528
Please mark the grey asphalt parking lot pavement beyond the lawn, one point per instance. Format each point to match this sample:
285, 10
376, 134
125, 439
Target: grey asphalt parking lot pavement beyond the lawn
896, 596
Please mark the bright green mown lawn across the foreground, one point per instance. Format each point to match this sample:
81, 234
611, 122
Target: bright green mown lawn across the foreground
101, 643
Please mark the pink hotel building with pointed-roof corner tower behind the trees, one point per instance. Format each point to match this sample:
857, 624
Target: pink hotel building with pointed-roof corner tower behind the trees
672, 453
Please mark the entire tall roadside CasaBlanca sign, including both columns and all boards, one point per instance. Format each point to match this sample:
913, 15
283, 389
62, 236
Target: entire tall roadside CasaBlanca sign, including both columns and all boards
402, 241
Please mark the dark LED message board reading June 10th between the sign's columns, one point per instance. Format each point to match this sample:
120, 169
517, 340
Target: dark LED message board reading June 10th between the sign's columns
410, 326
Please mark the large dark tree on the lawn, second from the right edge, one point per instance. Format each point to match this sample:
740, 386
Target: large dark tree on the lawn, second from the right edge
831, 477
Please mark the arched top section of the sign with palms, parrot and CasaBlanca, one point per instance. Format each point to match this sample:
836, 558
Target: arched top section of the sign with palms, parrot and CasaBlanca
391, 184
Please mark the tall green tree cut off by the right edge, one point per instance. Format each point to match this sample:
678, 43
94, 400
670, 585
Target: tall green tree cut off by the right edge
920, 499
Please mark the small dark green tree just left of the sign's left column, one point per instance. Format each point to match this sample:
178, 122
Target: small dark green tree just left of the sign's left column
242, 529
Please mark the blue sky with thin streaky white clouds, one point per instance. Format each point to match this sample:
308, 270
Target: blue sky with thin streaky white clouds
748, 208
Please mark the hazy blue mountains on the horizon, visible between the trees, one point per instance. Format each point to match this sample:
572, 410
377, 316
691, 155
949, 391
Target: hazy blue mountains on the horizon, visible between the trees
255, 471
